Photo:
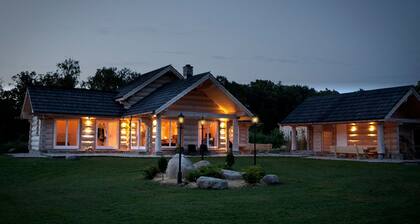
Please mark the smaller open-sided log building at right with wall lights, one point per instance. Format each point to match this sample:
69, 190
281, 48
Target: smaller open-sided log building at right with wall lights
383, 123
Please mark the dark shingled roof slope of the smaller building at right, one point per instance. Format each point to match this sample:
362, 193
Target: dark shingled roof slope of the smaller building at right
361, 105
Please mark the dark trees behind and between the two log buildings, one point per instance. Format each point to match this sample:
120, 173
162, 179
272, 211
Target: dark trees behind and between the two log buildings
270, 101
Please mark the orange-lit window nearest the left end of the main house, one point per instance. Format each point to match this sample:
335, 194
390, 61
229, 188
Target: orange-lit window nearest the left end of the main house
66, 133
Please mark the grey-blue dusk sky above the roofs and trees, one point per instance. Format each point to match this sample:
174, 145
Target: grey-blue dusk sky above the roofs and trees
342, 45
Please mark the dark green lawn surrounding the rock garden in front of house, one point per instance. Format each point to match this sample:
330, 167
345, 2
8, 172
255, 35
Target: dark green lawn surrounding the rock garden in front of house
112, 190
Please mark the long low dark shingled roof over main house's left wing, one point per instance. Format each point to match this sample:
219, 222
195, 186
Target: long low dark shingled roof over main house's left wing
74, 101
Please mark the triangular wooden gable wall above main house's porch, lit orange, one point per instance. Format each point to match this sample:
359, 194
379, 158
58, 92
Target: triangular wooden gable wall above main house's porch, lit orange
196, 101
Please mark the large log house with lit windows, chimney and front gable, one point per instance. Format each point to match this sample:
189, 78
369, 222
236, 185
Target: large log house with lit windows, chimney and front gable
139, 117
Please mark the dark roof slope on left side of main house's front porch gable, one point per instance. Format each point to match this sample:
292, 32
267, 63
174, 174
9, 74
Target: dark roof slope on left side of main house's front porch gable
163, 95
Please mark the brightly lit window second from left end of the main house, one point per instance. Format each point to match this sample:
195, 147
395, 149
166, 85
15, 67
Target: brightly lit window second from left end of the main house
106, 134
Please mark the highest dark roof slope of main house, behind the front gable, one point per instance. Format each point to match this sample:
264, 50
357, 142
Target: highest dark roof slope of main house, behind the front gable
140, 82
